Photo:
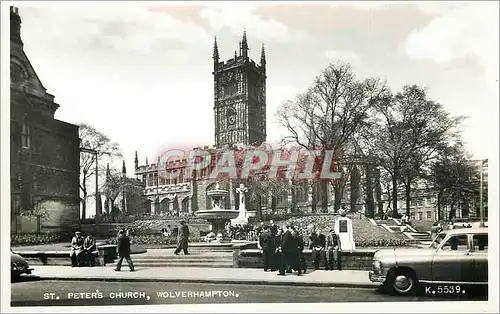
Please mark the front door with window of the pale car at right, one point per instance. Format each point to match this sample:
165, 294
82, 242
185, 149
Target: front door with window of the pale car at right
453, 261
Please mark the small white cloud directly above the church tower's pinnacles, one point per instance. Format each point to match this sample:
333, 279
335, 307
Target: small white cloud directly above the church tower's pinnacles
237, 16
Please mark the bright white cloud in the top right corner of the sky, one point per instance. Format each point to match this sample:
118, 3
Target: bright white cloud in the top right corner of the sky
465, 32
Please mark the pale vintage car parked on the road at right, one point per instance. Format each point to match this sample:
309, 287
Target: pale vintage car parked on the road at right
455, 257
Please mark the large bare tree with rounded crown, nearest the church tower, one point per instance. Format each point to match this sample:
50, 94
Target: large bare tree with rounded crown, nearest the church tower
329, 113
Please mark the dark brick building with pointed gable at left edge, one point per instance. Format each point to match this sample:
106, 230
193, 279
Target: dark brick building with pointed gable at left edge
44, 152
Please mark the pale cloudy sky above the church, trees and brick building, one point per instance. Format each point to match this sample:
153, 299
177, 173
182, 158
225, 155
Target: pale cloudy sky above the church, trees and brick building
142, 72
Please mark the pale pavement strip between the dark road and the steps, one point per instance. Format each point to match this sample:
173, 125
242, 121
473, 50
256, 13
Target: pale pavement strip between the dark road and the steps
319, 278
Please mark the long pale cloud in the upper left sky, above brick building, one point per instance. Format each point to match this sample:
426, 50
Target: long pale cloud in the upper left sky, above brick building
118, 27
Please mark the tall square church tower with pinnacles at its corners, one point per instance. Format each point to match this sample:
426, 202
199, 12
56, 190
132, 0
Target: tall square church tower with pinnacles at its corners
239, 97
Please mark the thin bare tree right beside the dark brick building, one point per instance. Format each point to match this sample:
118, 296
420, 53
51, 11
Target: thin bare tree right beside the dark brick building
106, 150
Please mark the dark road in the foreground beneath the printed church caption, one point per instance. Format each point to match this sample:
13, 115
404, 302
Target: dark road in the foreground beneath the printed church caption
32, 291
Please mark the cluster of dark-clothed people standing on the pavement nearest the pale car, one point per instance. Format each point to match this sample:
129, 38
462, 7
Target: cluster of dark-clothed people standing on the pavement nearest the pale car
282, 249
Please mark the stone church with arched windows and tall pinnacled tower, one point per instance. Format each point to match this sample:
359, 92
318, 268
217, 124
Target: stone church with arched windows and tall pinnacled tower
239, 118
